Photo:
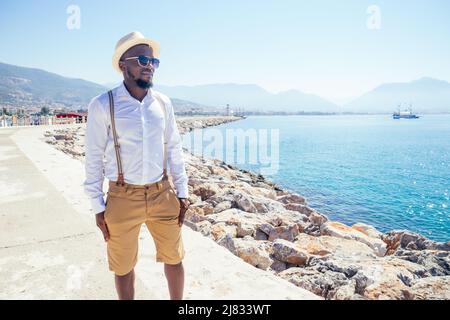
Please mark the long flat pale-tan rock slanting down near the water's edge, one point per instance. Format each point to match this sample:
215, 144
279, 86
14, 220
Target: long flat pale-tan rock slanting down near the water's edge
337, 229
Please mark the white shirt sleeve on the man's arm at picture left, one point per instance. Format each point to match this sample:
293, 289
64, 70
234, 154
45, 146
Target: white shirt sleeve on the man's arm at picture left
95, 144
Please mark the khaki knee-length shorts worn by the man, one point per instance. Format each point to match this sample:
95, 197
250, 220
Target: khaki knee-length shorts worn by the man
127, 208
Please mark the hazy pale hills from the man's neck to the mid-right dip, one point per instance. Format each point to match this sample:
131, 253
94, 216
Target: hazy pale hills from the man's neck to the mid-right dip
250, 97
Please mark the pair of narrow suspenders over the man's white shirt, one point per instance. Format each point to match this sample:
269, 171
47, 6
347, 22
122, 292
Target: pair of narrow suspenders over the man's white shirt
121, 179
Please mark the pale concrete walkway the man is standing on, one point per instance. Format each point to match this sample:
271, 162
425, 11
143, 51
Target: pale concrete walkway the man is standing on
50, 247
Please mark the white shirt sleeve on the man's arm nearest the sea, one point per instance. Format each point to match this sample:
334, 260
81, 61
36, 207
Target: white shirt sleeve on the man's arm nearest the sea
175, 155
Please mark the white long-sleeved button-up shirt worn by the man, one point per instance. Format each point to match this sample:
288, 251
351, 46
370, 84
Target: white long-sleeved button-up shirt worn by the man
140, 131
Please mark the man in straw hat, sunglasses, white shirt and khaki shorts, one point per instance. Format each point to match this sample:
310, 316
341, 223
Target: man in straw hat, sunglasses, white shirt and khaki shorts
133, 127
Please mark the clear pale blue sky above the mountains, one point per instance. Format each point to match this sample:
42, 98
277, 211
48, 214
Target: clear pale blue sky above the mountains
321, 47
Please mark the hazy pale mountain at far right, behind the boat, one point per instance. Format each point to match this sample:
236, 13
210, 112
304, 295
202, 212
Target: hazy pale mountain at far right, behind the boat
426, 95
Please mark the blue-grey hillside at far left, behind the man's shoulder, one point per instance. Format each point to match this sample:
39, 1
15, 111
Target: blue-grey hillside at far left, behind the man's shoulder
25, 86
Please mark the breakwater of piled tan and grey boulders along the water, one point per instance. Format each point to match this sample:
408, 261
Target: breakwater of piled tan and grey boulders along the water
275, 230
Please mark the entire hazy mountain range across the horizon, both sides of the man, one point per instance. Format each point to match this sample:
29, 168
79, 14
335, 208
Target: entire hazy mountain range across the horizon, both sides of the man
22, 86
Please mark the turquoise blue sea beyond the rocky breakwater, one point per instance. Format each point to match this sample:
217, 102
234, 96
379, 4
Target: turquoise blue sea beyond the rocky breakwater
393, 174
